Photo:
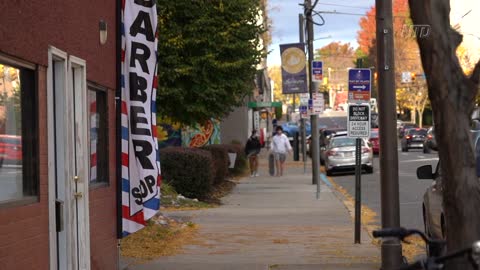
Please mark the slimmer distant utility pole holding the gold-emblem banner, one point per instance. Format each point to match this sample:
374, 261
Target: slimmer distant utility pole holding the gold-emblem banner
313, 118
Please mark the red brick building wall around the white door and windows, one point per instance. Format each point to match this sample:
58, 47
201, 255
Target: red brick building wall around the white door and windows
71, 26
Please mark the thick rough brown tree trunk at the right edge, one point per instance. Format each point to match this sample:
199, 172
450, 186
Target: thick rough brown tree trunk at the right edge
452, 95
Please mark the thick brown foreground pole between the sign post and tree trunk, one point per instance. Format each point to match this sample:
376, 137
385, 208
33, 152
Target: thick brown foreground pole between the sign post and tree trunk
391, 248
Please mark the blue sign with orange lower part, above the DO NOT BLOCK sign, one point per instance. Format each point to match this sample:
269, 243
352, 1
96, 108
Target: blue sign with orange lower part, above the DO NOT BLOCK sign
359, 84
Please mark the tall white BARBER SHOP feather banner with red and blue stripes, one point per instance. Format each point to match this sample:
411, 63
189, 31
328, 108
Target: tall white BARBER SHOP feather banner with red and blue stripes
140, 156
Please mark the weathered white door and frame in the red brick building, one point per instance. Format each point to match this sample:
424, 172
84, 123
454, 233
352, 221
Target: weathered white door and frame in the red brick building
68, 162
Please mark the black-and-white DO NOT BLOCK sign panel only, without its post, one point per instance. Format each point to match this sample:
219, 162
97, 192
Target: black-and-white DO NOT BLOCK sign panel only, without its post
359, 121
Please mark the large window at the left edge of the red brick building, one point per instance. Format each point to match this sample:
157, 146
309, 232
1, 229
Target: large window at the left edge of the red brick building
18, 134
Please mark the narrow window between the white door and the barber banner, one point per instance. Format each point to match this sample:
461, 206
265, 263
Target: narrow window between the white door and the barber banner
97, 103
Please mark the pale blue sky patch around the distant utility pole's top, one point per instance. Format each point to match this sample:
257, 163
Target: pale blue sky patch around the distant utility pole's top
337, 27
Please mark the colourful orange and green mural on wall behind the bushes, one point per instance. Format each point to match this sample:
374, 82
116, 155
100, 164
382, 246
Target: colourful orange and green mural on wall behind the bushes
201, 135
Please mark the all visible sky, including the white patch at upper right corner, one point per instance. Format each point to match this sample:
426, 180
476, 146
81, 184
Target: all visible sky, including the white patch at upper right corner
338, 27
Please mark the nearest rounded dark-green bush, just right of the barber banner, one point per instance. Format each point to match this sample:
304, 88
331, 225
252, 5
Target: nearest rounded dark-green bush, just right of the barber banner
189, 170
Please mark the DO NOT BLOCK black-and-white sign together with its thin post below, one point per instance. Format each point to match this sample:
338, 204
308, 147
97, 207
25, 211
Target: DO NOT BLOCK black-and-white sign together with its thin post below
359, 127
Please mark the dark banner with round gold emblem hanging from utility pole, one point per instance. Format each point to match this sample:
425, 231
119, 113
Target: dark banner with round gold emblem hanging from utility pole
294, 68
